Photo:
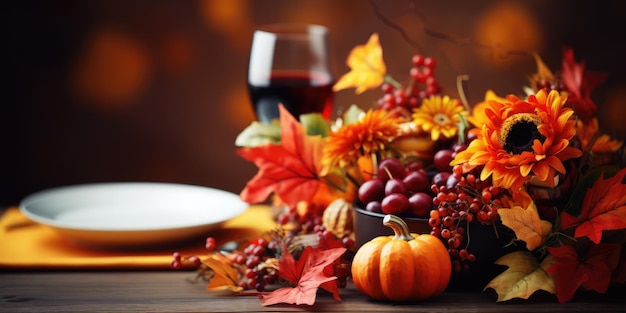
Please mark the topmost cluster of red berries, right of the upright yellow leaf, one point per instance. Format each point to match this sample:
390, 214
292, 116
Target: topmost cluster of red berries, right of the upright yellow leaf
422, 84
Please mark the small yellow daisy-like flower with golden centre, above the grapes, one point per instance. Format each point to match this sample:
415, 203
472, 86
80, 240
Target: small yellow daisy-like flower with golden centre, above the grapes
439, 116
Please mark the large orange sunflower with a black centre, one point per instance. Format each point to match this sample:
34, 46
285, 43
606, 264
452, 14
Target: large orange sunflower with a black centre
522, 139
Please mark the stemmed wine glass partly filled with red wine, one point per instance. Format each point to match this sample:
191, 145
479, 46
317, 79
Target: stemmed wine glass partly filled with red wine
289, 64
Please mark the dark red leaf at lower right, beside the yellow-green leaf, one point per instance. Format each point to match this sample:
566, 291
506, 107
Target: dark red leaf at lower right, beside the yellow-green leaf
592, 272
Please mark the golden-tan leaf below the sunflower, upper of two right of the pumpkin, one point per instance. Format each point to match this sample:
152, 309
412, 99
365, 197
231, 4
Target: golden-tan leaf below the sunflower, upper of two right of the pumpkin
526, 224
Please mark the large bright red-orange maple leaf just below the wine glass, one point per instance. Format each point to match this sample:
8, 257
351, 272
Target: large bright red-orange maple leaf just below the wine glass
290, 169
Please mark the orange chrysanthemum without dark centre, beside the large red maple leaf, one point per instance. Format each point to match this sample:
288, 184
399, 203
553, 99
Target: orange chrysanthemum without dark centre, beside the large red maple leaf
369, 135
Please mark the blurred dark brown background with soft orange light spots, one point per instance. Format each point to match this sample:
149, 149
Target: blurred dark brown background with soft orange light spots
99, 91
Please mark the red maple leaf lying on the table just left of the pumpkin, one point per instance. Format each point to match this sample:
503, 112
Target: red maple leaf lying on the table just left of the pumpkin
307, 275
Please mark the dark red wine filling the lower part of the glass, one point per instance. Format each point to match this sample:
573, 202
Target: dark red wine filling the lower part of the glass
300, 92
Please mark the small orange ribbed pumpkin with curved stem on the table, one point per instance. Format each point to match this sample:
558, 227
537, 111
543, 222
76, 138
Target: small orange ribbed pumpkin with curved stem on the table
401, 267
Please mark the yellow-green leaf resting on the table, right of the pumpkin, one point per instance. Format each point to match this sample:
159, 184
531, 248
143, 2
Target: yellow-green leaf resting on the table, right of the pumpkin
523, 277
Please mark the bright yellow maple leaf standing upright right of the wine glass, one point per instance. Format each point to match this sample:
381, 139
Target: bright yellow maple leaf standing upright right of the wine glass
367, 67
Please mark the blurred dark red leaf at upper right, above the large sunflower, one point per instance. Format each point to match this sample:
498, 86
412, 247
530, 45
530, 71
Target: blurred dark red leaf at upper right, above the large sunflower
579, 85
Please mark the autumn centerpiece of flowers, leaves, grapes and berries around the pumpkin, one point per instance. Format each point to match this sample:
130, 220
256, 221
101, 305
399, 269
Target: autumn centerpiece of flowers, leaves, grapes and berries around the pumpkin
537, 165
